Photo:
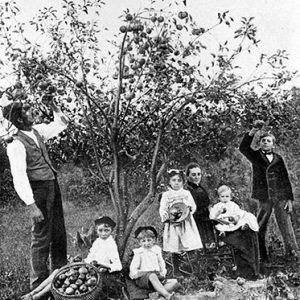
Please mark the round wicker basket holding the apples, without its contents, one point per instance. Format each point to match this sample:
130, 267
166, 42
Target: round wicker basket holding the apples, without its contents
90, 295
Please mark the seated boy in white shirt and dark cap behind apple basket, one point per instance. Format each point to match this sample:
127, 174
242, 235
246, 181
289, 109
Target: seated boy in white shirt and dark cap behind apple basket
103, 252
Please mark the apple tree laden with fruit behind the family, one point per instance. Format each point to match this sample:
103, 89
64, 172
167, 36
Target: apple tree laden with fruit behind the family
158, 105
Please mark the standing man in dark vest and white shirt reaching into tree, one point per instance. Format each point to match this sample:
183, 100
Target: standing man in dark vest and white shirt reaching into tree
36, 184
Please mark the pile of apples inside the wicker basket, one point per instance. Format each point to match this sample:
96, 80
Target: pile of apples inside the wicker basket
76, 280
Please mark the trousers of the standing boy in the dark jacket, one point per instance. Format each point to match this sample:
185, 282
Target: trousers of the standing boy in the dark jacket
284, 223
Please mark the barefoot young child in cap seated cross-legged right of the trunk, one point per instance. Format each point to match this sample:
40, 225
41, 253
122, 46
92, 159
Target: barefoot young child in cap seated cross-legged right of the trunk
148, 268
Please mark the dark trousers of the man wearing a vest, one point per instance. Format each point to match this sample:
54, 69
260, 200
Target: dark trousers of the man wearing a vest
48, 237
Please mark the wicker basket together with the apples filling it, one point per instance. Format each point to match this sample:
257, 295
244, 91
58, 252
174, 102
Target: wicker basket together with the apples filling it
77, 281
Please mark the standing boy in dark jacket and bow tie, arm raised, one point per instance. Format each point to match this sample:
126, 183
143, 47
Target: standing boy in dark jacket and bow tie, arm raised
271, 187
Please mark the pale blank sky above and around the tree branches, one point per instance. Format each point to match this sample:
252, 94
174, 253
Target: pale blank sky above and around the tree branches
277, 21
